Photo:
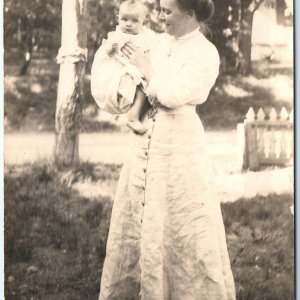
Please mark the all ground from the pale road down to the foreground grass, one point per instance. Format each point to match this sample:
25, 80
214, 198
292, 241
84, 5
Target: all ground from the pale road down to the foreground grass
56, 222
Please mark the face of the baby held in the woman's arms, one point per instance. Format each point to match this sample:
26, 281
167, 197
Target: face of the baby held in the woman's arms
131, 20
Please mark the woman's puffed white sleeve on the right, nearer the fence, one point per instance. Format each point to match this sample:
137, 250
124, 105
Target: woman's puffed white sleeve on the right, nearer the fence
188, 84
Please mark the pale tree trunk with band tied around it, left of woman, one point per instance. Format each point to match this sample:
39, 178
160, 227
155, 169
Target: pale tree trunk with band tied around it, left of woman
71, 79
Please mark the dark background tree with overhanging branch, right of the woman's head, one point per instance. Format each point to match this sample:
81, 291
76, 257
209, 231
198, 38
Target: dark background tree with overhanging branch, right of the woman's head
232, 30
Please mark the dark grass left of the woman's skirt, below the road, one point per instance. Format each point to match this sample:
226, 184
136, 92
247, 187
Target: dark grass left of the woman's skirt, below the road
54, 239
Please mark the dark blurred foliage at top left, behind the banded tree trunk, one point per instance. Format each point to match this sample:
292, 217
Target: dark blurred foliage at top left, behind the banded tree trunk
36, 25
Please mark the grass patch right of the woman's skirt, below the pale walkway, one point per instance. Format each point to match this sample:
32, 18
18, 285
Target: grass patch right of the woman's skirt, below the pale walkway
260, 236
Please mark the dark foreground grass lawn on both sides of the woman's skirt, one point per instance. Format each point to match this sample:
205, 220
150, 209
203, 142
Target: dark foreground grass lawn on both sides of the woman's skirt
55, 239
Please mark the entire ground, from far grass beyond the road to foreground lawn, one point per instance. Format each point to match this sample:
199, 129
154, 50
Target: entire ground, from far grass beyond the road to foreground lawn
56, 222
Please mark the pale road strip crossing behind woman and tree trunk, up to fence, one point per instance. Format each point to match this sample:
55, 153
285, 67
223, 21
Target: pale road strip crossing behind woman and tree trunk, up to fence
107, 147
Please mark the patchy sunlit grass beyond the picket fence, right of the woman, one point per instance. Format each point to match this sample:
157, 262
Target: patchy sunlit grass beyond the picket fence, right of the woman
225, 108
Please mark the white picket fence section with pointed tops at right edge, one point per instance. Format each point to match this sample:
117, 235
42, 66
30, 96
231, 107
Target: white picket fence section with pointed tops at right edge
266, 139
